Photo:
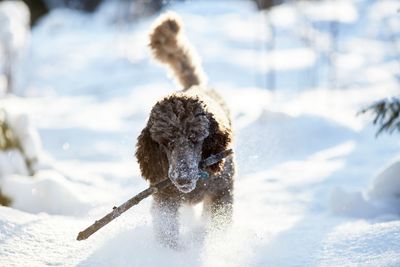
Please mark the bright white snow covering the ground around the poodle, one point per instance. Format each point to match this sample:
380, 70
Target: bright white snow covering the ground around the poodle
313, 187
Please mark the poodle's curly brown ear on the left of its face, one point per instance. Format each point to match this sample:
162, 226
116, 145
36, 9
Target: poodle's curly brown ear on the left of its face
152, 160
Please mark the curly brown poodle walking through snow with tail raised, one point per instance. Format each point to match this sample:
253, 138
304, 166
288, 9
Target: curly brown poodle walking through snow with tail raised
184, 128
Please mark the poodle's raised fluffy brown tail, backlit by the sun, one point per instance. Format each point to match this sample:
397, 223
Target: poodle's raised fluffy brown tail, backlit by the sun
170, 47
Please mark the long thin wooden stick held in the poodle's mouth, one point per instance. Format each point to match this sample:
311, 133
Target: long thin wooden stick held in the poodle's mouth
117, 211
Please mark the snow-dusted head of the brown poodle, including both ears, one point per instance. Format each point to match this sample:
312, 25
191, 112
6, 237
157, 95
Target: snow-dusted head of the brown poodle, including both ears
179, 134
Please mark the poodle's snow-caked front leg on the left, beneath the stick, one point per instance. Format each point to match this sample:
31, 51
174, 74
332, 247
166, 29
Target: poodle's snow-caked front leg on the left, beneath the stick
165, 220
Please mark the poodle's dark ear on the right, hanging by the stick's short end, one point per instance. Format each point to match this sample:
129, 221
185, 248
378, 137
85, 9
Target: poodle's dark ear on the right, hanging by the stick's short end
219, 139
